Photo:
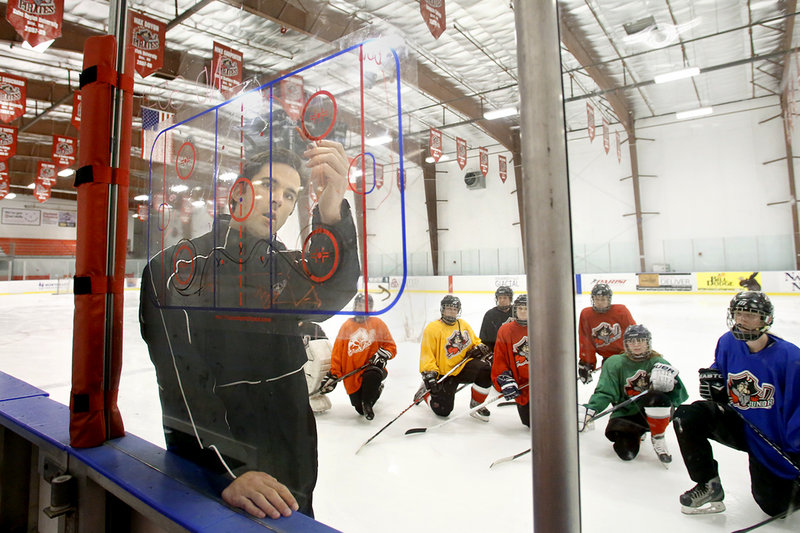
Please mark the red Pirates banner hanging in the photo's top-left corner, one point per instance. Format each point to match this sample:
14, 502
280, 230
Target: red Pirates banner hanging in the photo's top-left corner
36, 21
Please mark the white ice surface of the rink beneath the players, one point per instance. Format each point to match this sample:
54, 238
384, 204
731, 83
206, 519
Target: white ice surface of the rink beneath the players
441, 481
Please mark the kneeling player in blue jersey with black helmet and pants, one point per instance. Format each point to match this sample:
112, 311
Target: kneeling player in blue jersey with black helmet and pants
751, 402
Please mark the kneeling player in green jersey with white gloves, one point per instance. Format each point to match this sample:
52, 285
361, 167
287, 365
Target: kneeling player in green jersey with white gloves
638, 369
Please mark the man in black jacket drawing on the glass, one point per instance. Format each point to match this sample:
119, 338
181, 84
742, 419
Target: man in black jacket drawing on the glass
221, 315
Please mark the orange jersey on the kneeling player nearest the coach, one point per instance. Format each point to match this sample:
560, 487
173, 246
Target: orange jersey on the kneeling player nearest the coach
355, 344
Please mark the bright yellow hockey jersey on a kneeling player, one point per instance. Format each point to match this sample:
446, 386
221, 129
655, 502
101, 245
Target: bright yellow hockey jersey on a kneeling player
443, 346
